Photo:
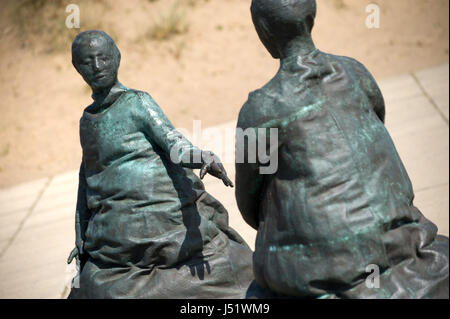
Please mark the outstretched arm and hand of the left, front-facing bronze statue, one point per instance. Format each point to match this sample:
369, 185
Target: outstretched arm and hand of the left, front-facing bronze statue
180, 150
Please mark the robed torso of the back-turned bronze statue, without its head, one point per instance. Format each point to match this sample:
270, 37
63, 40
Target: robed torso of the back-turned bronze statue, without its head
340, 192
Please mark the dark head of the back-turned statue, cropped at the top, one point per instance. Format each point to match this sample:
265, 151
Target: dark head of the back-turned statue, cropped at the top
278, 22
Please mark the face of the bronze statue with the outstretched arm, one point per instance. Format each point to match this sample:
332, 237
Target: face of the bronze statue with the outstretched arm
96, 62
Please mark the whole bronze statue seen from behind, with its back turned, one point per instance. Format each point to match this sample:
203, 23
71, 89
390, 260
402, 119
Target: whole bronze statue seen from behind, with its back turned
341, 199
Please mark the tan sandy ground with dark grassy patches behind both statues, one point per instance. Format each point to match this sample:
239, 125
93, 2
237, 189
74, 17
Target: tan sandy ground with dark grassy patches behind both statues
204, 71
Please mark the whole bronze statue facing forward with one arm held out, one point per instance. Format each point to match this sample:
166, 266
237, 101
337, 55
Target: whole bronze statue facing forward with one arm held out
145, 226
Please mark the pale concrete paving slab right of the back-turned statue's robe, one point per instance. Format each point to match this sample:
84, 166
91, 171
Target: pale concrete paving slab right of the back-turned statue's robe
419, 134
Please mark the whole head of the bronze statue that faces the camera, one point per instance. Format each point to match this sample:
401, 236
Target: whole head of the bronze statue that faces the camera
96, 57
